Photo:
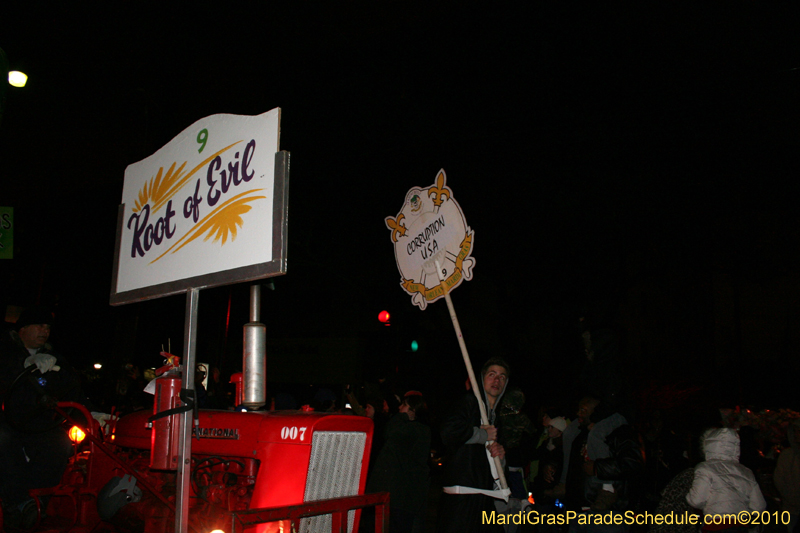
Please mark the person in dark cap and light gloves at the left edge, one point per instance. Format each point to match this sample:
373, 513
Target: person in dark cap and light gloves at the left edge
33, 452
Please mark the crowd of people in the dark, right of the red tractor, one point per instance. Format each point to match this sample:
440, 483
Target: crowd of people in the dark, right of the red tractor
601, 457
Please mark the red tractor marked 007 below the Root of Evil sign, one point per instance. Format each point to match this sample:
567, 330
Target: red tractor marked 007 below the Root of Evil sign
248, 469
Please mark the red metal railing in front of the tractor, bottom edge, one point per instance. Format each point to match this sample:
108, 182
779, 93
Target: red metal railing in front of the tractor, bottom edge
336, 507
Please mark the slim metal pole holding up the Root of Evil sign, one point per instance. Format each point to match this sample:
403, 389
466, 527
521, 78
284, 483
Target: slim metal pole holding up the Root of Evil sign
185, 455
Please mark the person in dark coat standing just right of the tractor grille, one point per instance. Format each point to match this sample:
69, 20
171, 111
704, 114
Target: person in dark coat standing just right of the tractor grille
401, 468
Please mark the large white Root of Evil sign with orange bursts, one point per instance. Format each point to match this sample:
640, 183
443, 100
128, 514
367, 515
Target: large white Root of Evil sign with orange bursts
201, 211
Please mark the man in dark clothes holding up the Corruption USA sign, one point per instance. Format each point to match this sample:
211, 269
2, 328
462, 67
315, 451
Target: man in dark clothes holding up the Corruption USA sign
469, 480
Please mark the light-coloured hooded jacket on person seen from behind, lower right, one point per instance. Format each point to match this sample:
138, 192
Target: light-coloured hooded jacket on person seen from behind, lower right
722, 485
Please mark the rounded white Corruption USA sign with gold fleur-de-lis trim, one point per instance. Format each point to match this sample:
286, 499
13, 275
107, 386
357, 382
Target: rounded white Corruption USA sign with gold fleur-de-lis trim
431, 229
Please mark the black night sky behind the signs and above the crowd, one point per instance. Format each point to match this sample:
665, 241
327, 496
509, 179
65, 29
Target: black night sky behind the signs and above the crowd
633, 164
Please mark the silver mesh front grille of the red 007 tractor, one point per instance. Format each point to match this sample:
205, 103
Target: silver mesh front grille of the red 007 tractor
334, 471
